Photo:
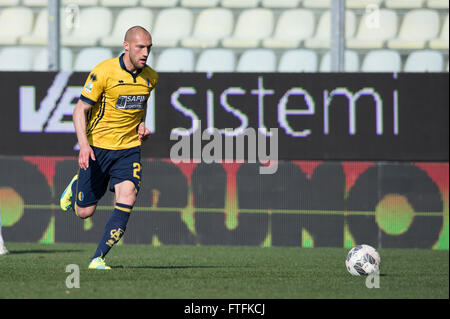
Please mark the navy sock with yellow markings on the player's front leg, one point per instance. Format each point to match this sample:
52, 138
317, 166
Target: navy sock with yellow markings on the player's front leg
114, 229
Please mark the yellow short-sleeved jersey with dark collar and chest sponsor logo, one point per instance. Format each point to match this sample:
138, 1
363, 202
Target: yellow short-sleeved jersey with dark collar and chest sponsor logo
119, 99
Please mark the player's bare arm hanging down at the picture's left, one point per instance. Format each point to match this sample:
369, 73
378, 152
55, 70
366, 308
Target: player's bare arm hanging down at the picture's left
79, 121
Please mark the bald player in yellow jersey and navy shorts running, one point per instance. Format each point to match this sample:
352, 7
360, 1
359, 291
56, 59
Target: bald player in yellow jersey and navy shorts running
109, 120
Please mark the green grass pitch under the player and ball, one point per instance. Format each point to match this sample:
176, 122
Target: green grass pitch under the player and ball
217, 272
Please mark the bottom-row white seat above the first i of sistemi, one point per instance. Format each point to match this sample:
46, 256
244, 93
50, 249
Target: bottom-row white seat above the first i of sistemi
216, 60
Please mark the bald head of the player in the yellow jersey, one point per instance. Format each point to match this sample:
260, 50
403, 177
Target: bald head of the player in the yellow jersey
137, 44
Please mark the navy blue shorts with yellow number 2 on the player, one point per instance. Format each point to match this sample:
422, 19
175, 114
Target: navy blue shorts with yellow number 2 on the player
110, 166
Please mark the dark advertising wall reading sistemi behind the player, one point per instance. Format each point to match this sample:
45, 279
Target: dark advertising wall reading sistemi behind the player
362, 158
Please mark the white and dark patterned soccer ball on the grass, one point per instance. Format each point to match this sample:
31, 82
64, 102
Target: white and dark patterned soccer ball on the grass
363, 260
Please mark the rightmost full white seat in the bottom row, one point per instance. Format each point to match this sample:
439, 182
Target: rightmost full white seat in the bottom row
424, 61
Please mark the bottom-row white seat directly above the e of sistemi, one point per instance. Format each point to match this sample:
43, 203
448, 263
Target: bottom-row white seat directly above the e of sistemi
299, 60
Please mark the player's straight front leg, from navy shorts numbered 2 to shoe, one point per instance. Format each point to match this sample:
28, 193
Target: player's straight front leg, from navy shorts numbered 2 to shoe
125, 182
